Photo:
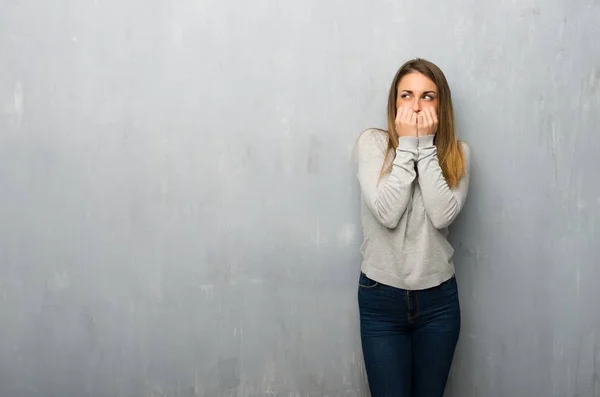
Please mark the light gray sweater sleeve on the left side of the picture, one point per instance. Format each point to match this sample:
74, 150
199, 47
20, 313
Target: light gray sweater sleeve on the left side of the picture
387, 198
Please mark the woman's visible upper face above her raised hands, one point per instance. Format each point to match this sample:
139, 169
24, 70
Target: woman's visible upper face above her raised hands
417, 91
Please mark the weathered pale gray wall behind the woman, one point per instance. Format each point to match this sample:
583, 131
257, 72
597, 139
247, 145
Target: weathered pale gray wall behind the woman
179, 214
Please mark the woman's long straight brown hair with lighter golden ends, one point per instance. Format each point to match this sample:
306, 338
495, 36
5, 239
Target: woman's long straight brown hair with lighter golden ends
449, 151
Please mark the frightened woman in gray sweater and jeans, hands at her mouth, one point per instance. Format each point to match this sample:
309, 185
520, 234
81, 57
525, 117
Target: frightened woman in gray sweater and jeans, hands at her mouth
414, 179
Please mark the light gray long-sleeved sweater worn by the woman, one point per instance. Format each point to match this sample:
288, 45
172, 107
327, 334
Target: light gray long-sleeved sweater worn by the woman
406, 213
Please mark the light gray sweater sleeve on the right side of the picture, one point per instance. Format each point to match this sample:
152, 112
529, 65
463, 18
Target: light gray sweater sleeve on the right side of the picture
442, 204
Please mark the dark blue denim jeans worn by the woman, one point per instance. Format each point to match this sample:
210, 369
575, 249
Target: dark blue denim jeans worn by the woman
408, 337
